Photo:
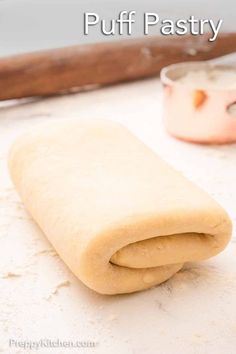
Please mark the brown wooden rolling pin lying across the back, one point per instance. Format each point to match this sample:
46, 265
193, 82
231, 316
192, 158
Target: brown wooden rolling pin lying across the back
52, 71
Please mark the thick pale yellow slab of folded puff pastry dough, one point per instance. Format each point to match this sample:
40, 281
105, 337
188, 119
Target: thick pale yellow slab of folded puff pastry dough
120, 217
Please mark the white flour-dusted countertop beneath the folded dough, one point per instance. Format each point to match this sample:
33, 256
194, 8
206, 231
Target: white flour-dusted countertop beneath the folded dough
193, 313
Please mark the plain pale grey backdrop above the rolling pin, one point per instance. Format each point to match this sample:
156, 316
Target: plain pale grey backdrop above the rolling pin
27, 25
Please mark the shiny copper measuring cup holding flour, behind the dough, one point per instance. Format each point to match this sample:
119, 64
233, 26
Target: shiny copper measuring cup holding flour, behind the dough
198, 114
